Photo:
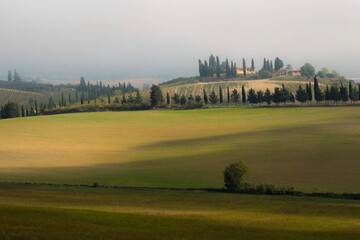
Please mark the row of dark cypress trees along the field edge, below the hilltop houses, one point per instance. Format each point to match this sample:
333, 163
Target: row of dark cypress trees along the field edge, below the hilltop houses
279, 95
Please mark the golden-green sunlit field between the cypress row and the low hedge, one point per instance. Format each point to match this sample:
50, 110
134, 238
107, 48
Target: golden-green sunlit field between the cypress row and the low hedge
306, 147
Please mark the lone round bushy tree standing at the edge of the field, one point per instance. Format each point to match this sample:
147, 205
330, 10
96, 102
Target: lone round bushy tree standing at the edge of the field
233, 175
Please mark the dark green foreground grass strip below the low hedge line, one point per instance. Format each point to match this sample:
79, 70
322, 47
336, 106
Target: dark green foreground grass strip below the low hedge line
78, 213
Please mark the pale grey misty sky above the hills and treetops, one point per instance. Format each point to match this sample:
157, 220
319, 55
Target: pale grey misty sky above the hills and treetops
108, 39
